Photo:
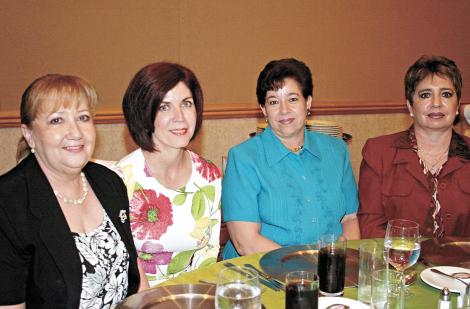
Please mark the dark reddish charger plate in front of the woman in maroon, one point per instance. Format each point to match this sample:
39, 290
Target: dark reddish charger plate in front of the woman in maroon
449, 251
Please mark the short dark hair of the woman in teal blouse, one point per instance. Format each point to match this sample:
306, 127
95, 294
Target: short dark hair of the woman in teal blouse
273, 75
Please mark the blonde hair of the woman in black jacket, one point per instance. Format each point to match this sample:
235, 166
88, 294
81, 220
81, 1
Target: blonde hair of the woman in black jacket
49, 93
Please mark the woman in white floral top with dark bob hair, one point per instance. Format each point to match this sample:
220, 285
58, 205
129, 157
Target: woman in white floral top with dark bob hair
174, 193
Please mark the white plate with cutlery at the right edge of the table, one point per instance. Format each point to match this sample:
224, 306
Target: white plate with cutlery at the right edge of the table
440, 281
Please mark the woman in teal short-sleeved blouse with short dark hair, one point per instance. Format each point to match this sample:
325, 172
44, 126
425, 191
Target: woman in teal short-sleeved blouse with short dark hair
287, 186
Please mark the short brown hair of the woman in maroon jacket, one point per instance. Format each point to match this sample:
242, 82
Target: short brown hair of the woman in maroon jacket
432, 65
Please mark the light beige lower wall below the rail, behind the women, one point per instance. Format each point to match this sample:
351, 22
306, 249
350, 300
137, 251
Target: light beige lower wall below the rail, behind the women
218, 135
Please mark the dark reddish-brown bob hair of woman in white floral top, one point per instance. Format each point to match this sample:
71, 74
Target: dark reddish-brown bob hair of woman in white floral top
146, 92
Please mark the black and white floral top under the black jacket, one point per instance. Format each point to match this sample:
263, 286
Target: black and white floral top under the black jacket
105, 264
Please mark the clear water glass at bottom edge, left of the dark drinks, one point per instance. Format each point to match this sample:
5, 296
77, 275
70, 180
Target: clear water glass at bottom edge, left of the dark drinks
238, 288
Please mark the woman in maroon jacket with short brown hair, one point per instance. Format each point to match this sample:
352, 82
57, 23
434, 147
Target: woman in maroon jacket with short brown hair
423, 173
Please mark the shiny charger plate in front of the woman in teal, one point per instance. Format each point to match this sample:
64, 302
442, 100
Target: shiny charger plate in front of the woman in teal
279, 262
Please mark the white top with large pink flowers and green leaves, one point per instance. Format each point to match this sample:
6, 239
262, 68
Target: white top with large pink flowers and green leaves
174, 231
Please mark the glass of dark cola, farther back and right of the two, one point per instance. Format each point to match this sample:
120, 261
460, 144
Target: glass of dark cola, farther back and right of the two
331, 265
